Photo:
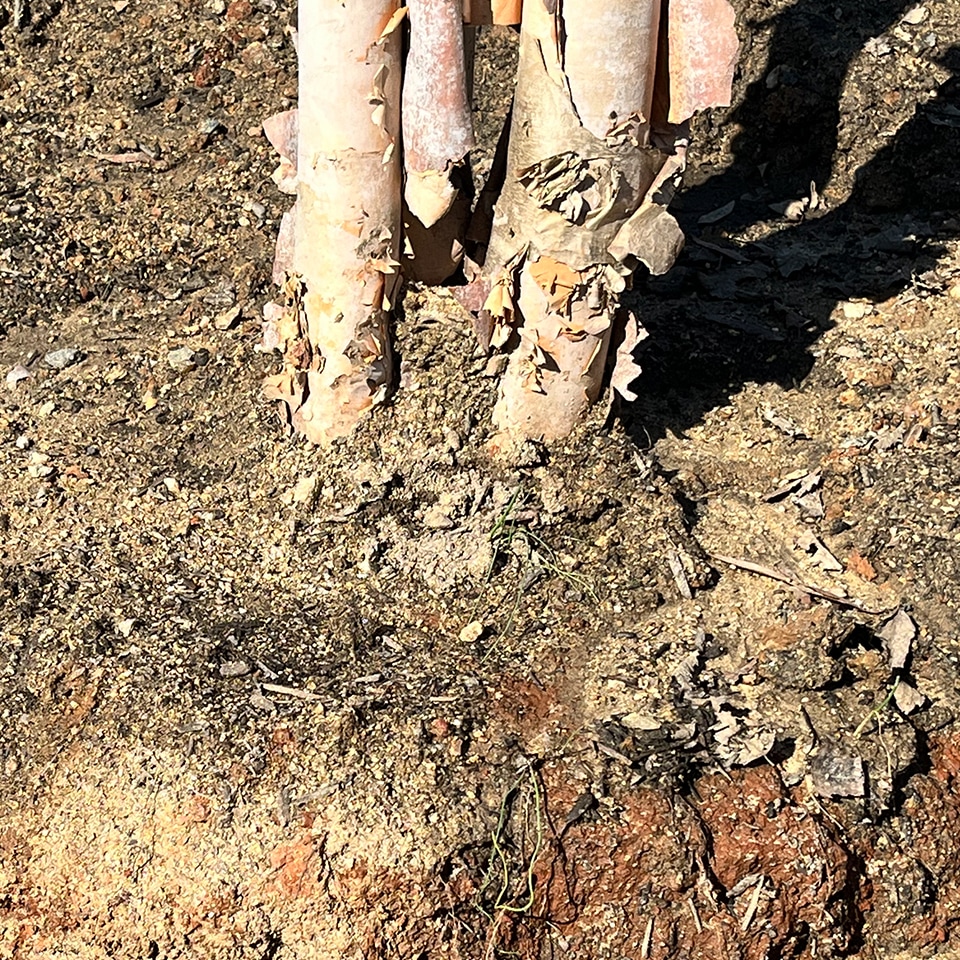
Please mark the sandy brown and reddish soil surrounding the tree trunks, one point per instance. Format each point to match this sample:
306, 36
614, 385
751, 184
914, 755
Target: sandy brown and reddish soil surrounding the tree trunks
682, 686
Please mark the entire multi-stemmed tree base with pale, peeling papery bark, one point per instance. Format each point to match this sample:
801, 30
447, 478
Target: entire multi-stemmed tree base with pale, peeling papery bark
597, 145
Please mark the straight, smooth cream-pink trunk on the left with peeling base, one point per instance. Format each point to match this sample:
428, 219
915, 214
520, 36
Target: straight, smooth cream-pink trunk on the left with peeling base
346, 223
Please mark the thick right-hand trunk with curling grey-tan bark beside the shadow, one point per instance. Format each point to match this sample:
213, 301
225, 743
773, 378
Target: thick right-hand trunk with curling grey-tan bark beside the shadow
596, 150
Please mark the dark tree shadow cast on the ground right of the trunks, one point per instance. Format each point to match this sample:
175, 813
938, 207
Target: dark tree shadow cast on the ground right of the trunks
730, 314
